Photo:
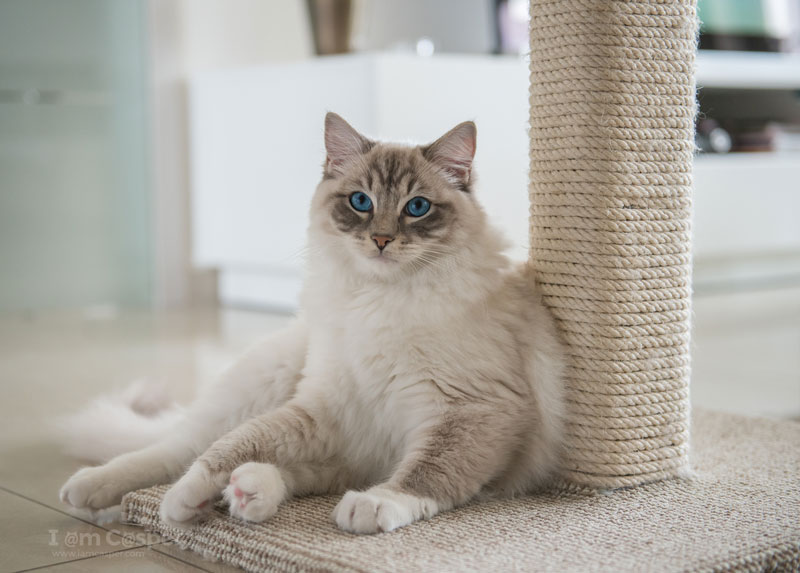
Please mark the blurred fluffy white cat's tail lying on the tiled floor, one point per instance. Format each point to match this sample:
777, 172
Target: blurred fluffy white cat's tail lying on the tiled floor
114, 424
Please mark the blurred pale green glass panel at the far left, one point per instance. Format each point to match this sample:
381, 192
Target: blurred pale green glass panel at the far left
74, 183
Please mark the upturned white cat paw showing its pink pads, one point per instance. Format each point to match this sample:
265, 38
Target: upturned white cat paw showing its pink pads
255, 491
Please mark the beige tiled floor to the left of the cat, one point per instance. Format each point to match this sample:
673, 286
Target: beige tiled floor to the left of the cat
51, 365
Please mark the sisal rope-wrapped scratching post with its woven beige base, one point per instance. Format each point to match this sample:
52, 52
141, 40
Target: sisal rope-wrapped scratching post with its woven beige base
612, 108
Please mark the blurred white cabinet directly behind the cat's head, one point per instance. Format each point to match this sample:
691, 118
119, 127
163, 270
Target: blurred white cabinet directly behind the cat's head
257, 151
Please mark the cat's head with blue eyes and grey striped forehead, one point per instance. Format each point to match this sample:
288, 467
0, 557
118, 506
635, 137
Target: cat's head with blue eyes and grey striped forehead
393, 208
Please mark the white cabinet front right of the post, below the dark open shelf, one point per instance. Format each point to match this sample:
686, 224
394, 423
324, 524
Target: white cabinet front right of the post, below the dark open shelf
746, 222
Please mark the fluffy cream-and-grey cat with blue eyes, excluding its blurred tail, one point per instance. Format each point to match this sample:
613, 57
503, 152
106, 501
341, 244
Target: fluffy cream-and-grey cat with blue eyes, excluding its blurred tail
422, 372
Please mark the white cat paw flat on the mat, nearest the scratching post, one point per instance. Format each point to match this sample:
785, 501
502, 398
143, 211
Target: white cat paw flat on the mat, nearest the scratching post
379, 509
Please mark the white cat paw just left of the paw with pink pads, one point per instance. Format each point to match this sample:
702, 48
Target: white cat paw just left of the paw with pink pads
190, 498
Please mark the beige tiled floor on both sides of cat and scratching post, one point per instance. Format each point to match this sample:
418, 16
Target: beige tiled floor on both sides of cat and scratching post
746, 359
